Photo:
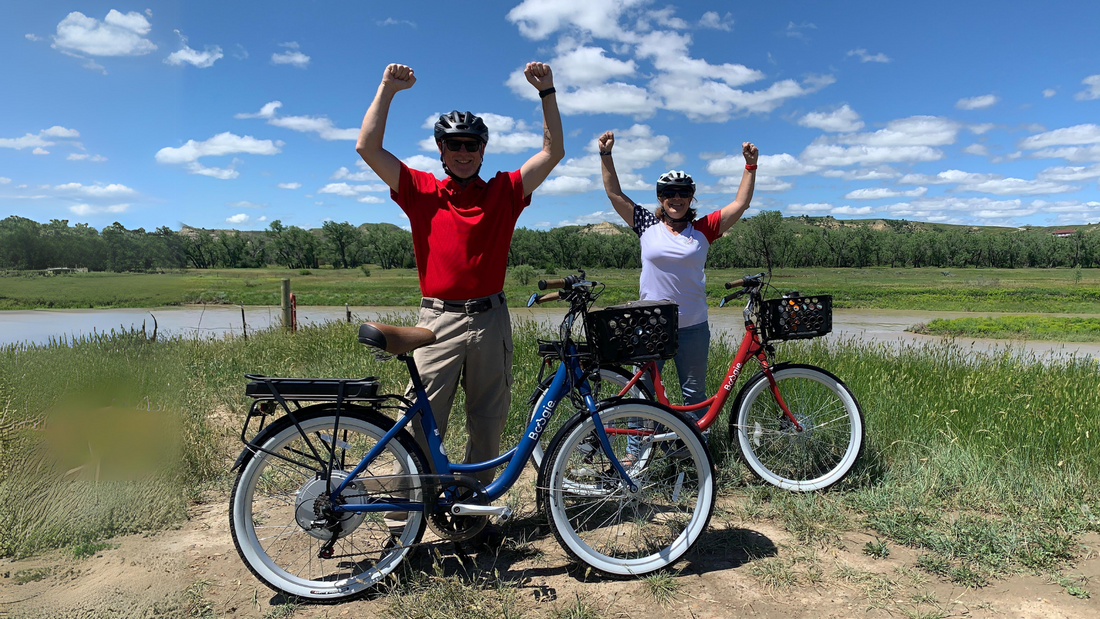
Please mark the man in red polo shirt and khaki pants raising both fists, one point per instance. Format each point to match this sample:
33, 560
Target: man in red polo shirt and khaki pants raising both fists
461, 234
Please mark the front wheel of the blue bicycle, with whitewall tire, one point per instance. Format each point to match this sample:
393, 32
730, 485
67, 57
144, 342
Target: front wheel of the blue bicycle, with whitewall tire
599, 519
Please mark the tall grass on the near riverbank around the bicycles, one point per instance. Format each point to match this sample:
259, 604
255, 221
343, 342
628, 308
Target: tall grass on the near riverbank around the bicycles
989, 466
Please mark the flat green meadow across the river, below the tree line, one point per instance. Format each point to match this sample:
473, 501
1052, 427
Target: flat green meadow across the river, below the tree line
969, 290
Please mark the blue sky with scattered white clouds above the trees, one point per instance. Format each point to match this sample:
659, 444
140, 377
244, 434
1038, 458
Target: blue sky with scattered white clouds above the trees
233, 115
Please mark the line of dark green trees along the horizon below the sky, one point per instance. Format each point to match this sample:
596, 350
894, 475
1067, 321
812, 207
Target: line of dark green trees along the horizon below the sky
765, 240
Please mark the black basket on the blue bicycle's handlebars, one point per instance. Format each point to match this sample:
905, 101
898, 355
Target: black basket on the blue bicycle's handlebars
635, 331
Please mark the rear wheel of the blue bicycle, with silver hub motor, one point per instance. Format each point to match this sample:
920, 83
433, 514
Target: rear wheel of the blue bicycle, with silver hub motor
277, 511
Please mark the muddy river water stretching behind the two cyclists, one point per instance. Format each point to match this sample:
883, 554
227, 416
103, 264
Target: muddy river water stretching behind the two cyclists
39, 327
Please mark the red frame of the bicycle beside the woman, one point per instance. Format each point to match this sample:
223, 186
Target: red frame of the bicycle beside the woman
752, 347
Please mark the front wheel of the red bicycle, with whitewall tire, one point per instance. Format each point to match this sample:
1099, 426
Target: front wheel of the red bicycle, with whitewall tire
813, 458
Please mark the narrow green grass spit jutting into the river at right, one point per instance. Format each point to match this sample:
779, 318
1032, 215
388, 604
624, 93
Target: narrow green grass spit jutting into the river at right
1055, 329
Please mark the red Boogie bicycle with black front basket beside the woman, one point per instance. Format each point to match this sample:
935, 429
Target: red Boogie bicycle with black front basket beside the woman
798, 427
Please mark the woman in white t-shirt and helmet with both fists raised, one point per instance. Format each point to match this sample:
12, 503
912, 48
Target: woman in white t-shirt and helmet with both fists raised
674, 253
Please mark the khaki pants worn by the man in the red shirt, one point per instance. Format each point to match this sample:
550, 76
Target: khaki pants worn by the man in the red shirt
477, 352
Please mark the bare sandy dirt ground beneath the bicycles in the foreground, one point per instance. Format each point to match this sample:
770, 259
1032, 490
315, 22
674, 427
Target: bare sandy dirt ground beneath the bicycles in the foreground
738, 569
